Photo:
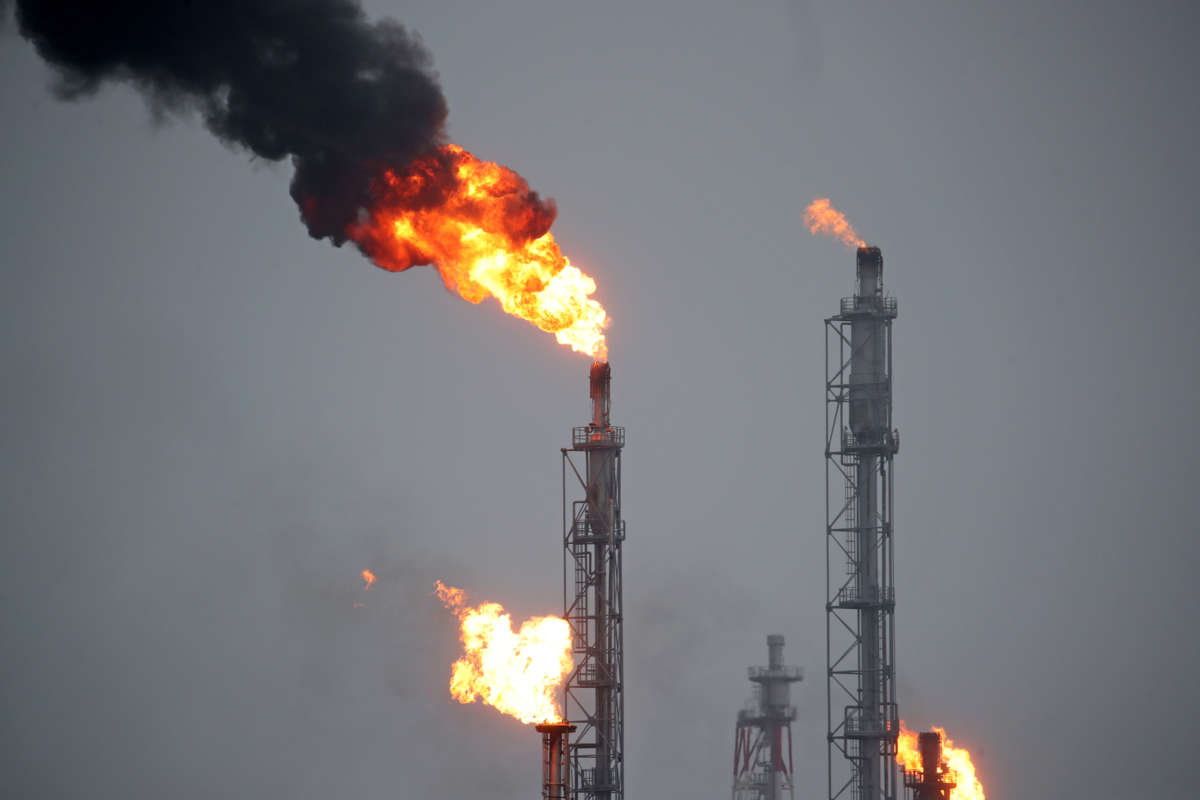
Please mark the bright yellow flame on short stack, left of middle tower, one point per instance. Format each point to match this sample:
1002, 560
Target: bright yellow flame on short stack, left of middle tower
517, 672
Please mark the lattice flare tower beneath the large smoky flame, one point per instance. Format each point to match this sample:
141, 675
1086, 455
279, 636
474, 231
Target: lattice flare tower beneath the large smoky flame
593, 533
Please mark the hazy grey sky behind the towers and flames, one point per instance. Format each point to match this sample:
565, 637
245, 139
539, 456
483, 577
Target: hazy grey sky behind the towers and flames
212, 423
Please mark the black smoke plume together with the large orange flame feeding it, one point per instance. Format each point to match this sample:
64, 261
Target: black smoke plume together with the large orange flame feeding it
357, 109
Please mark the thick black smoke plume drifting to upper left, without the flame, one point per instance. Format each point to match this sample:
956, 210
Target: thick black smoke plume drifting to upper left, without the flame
313, 80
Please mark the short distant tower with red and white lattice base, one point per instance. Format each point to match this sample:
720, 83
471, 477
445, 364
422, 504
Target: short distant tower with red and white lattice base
763, 744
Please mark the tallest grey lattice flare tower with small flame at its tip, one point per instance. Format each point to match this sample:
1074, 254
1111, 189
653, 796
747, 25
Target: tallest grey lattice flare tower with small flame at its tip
861, 444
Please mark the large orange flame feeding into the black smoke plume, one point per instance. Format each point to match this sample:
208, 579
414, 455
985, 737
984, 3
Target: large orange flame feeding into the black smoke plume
488, 234
